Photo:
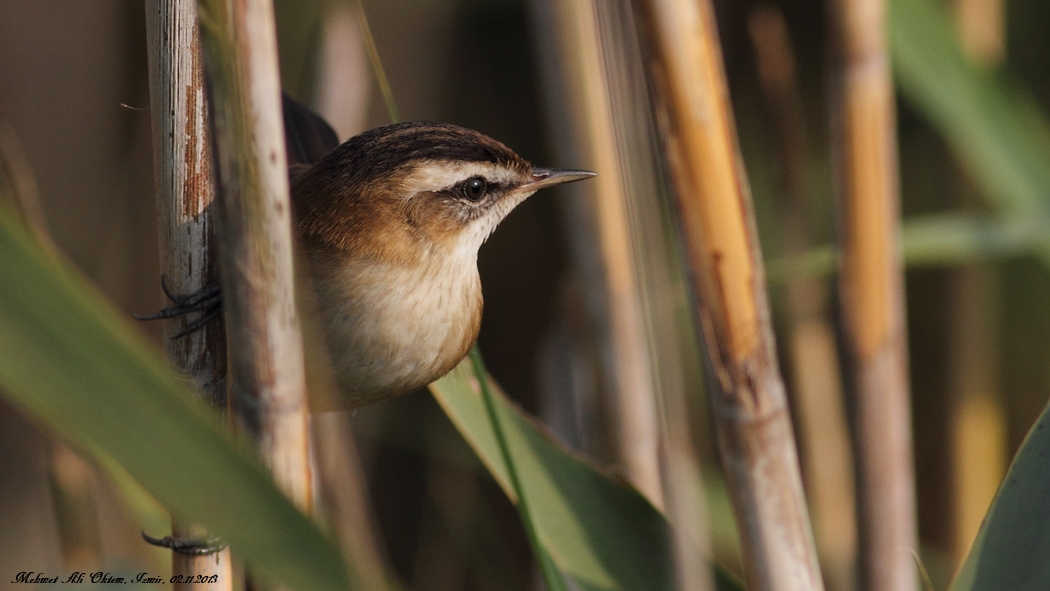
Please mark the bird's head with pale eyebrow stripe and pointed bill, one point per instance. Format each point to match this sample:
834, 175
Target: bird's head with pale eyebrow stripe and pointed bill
407, 191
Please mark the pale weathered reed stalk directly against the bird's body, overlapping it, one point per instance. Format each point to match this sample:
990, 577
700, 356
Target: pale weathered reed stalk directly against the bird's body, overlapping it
266, 357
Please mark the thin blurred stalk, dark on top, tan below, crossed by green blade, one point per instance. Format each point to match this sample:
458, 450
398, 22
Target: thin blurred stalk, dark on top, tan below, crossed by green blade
828, 466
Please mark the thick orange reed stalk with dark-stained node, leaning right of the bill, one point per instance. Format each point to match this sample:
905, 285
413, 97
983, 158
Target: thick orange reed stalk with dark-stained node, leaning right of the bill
747, 394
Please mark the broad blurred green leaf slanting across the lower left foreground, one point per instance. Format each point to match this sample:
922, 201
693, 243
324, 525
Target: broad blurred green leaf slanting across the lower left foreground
78, 368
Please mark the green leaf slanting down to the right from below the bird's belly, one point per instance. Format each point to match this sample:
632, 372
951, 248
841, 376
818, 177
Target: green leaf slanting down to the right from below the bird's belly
601, 534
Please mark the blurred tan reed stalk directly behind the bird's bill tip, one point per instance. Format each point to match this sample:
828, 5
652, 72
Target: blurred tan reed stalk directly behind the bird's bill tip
629, 378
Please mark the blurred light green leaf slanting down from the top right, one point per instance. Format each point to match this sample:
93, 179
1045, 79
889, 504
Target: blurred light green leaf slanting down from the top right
993, 126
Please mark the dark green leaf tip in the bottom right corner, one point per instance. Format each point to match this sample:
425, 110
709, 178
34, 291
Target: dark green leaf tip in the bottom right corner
1014, 544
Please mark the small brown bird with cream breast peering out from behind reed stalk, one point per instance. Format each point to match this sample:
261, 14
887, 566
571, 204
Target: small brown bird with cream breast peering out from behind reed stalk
390, 224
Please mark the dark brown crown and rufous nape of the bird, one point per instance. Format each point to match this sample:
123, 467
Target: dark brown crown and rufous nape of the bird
337, 200
